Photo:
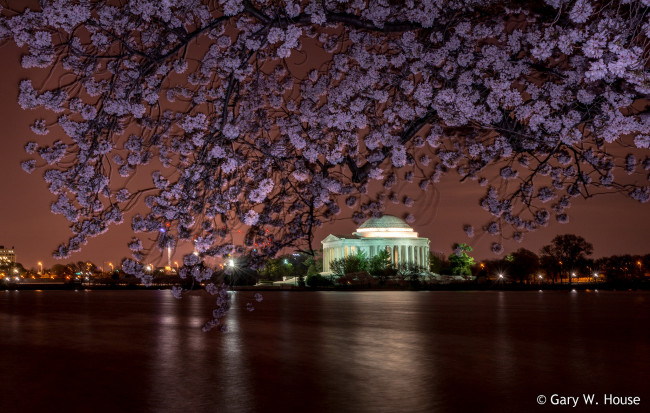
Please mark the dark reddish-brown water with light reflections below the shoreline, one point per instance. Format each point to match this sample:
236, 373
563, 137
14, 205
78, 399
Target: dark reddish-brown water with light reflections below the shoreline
144, 351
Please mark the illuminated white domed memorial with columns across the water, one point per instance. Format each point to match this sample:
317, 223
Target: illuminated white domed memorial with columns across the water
387, 233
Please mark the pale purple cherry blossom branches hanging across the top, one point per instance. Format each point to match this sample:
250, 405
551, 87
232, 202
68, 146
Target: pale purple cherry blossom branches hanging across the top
267, 116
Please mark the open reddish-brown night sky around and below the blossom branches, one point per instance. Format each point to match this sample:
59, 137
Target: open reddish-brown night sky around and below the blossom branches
614, 224
